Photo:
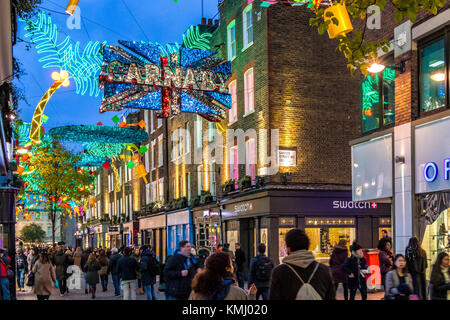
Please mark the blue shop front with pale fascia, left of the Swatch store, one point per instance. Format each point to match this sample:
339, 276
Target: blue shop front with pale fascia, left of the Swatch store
179, 227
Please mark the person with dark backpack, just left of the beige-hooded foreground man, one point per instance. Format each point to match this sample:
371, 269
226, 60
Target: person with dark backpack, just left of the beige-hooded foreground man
259, 272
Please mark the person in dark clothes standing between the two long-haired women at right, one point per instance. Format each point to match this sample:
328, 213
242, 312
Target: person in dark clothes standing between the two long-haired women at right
416, 261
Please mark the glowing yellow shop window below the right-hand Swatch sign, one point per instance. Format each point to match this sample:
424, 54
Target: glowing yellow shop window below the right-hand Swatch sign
322, 240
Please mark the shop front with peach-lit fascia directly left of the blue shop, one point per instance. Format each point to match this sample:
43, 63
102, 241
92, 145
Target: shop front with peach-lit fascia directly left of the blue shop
153, 232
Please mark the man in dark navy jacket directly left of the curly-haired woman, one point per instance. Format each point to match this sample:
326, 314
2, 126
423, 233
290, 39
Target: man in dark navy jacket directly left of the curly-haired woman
179, 271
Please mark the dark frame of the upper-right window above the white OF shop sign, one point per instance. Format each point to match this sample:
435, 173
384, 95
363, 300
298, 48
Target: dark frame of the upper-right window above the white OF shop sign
444, 33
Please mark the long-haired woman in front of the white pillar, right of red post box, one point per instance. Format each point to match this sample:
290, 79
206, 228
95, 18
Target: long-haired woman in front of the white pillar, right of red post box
399, 283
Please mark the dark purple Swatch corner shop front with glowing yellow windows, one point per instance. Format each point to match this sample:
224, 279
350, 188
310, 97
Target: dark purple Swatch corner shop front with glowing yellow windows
326, 217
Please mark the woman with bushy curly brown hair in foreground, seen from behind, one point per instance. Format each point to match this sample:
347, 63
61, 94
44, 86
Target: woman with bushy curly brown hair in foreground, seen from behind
216, 281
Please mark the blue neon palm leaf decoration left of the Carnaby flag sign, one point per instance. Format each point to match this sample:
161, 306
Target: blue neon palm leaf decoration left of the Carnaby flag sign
83, 65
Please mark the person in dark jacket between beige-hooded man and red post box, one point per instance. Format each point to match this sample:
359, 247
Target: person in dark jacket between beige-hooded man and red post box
356, 267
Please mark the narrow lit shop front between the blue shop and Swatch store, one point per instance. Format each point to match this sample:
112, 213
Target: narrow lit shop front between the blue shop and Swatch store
207, 226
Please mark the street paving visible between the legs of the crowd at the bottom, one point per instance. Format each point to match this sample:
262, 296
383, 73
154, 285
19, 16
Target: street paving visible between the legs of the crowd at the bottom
109, 294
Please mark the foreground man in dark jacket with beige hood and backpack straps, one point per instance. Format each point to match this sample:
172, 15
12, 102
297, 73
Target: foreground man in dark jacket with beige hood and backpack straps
285, 284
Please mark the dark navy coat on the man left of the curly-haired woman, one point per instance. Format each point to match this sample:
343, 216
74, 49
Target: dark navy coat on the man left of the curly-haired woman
176, 285
